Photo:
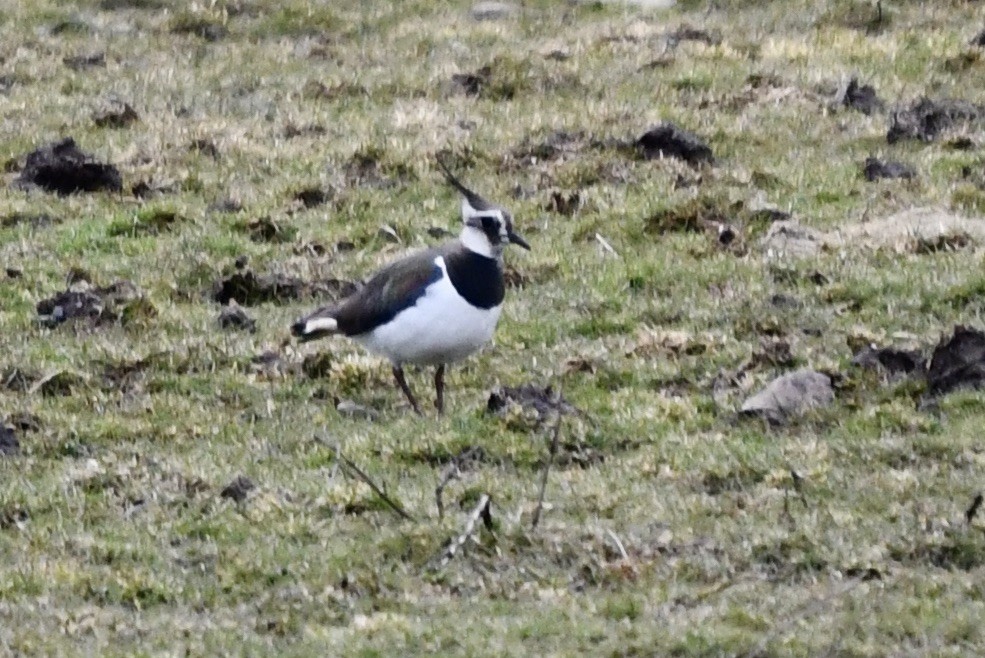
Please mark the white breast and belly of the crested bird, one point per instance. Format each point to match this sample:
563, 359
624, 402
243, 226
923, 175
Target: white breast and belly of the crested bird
440, 328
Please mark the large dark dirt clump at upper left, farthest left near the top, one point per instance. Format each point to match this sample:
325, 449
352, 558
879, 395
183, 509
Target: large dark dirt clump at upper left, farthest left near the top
63, 168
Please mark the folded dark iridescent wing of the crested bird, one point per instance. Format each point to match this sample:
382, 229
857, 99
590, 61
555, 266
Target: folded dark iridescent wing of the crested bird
396, 287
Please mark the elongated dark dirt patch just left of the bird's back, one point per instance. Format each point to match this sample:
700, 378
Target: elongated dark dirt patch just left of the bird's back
249, 288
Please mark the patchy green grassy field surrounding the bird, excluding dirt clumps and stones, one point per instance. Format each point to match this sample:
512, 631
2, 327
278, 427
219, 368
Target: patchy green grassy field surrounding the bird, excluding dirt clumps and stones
302, 136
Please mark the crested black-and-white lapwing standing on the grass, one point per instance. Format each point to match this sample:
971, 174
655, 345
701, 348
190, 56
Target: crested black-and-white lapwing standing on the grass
433, 307
